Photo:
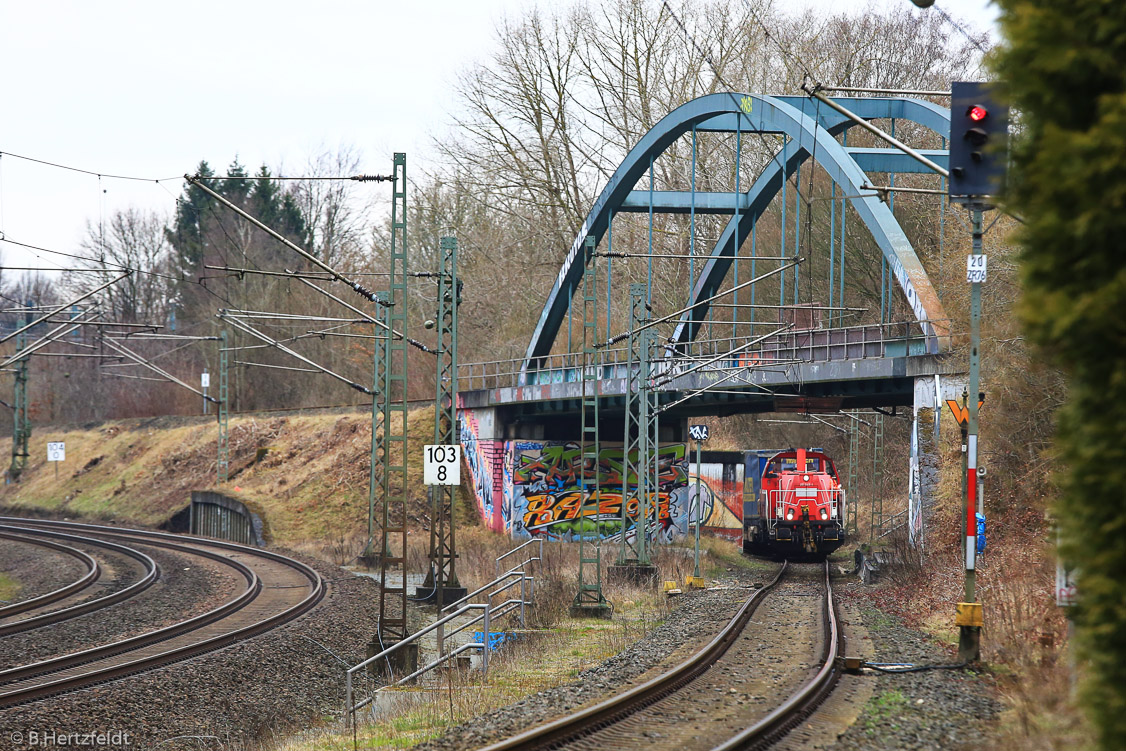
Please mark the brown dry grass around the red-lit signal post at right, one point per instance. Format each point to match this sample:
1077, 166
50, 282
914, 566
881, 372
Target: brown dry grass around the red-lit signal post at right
1025, 639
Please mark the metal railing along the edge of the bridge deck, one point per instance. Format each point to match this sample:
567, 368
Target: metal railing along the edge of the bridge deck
873, 341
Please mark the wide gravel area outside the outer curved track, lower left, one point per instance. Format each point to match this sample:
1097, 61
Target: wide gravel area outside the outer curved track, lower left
231, 699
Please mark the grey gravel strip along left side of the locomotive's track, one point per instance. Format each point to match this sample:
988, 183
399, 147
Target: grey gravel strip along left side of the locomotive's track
698, 618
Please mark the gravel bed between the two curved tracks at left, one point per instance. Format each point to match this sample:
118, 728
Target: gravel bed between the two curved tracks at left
187, 586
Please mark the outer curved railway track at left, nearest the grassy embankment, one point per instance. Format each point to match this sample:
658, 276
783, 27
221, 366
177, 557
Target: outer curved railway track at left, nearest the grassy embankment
278, 591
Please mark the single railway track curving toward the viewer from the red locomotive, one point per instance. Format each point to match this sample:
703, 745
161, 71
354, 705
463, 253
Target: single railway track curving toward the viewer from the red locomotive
692, 694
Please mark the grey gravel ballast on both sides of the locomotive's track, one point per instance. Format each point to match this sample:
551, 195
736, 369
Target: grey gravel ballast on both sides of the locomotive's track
931, 710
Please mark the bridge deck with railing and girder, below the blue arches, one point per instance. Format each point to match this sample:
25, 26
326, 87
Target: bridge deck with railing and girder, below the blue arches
821, 370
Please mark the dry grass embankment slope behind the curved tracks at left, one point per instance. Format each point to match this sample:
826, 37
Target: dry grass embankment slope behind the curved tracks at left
309, 473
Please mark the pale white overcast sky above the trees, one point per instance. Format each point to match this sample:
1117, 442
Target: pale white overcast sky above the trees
150, 88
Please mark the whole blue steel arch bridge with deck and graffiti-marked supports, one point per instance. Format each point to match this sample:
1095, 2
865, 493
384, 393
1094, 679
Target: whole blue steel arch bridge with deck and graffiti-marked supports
546, 398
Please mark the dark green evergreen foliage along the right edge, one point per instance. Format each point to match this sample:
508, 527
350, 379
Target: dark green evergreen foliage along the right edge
1065, 65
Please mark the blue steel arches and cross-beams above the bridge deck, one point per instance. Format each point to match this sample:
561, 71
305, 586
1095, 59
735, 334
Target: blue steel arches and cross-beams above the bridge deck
810, 132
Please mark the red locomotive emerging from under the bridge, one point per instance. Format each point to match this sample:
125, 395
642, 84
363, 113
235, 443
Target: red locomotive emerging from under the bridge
798, 507
